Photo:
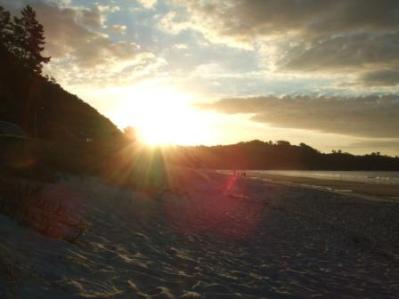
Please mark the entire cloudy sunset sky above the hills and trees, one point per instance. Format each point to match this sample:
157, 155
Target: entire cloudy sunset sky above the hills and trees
216, 72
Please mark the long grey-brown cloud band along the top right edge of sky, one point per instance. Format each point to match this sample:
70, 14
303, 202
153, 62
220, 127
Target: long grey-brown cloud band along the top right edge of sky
246, 18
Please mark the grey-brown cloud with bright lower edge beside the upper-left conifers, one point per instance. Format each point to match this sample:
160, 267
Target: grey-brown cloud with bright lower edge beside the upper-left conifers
81, 52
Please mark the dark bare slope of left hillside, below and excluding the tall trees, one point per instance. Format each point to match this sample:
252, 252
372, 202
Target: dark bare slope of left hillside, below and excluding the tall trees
45, 110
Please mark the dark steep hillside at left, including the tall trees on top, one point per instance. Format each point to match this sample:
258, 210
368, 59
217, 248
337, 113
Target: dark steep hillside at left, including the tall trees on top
64, 134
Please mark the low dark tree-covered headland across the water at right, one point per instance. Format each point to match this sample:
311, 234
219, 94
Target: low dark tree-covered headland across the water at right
257, 154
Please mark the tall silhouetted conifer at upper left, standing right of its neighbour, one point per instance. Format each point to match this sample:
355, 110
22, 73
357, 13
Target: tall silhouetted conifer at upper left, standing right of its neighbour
29, 40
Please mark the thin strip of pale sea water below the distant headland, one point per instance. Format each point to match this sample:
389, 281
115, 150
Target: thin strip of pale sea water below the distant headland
375, 177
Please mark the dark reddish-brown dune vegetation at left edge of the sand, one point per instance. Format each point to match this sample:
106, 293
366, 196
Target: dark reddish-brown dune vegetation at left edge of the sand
47, 208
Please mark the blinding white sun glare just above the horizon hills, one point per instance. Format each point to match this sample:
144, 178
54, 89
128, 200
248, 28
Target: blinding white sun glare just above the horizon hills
163, 115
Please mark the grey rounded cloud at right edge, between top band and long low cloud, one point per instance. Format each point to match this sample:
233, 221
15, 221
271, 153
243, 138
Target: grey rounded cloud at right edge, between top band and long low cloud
348, 52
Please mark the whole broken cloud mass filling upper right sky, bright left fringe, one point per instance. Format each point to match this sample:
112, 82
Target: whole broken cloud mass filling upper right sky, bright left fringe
321, 37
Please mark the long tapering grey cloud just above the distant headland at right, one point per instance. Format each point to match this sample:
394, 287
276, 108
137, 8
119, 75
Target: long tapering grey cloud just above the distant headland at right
371, 116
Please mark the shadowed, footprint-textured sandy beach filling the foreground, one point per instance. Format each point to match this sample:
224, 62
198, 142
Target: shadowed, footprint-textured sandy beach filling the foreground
211, 236
